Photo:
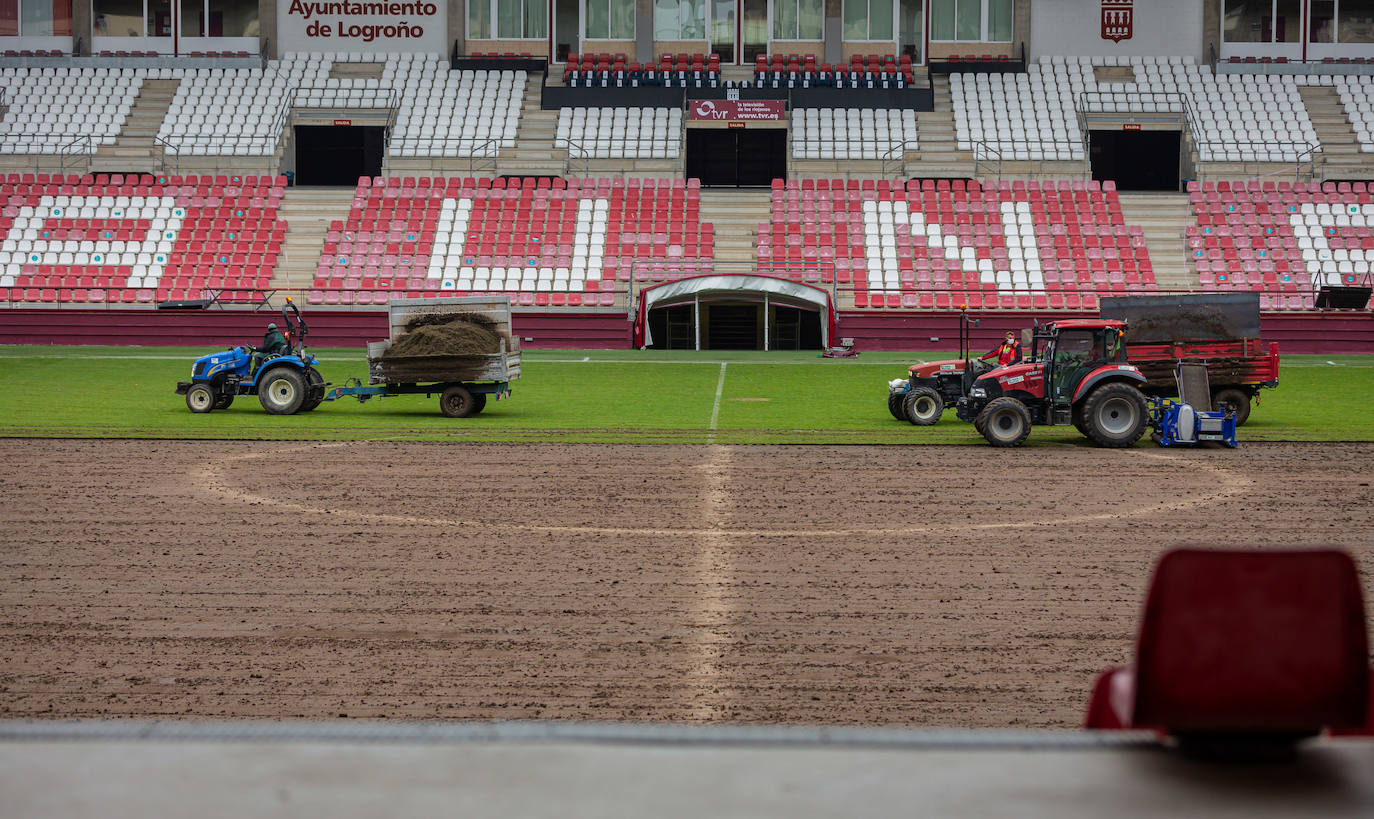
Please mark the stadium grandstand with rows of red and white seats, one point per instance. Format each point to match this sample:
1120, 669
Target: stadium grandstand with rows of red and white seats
902, 156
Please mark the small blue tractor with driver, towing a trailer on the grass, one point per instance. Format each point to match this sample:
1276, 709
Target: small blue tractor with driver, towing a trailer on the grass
285, 385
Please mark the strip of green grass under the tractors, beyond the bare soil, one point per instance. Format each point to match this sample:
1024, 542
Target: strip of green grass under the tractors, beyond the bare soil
597, 396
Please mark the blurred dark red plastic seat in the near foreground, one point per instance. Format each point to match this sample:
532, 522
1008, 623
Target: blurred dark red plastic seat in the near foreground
1246, 644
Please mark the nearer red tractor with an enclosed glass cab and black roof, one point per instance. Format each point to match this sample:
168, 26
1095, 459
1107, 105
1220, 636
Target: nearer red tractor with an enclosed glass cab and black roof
1077, 373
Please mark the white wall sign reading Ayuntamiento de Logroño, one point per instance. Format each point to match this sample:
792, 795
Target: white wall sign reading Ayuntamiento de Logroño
315, 25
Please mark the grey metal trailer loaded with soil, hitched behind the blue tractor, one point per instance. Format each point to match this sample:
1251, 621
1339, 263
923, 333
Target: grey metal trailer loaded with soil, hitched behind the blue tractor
464, 384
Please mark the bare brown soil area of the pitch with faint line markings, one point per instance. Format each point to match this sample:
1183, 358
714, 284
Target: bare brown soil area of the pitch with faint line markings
879, 586
